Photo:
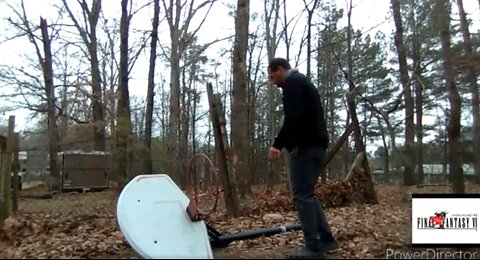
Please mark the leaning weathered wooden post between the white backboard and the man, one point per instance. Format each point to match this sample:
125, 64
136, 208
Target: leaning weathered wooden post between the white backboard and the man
229, 193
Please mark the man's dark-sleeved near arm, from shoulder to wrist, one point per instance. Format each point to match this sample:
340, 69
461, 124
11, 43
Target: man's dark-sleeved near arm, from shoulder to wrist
293, 109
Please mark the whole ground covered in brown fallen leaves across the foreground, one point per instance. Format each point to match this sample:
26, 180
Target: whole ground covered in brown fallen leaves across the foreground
77, 225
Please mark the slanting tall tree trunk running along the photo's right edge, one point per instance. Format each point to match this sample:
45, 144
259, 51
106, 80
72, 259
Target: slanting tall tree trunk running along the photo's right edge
472, 78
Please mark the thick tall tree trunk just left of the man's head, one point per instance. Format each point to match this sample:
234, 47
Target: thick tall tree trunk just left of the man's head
241, 162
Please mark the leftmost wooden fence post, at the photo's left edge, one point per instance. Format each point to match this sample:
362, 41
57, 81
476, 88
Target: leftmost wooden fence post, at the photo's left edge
7, 168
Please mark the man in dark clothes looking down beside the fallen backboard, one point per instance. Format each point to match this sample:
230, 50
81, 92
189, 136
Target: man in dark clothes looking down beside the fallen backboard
304, 135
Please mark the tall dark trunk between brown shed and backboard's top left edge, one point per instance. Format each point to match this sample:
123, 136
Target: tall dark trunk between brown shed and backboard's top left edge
124, 127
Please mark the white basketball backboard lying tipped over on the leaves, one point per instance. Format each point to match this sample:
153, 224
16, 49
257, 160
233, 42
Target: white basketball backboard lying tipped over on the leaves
151, 213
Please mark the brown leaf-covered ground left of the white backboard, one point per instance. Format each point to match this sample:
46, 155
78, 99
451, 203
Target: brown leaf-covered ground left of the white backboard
67, 226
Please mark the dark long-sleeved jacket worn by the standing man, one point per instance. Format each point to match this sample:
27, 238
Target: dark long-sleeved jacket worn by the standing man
304, 122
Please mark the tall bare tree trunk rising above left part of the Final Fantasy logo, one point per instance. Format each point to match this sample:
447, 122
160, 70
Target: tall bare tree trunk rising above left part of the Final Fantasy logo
409, 126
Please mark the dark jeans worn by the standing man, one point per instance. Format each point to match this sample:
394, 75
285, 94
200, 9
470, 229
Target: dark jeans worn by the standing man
305, 166
